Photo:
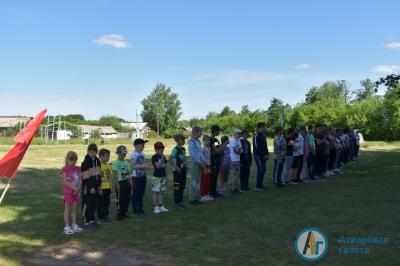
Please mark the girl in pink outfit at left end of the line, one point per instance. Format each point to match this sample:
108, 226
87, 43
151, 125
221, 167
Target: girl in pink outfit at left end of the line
71, 175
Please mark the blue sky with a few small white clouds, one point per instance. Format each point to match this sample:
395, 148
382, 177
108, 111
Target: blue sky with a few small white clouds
102, 57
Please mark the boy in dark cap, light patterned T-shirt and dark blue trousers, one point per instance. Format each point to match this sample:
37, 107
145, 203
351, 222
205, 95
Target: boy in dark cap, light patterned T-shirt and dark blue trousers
139, 177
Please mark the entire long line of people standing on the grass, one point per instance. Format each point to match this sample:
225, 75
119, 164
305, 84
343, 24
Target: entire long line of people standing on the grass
323, 153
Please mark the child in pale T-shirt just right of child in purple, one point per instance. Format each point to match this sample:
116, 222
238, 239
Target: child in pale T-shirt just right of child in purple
236, 150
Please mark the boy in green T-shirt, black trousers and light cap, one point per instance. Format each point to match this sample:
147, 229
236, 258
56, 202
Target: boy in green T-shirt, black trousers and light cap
122, 170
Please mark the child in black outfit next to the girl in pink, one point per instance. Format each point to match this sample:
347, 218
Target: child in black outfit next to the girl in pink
91, 170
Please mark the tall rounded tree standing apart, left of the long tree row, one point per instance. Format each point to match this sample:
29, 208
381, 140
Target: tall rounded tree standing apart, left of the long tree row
161, 109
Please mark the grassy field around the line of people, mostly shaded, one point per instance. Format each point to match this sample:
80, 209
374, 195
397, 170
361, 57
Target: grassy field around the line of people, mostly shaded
257, 228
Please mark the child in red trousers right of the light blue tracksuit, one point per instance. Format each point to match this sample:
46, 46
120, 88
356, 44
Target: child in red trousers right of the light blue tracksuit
206, 171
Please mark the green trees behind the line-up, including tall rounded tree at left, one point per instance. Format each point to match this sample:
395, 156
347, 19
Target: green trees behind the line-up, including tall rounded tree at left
332, 104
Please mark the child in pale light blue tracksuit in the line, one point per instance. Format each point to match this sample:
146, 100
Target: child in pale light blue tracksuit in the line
197, 162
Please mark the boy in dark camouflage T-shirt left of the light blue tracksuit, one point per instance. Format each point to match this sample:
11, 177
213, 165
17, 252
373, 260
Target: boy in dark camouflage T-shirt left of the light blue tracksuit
178, 161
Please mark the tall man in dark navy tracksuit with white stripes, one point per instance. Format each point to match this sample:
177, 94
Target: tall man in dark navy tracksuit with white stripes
261, 155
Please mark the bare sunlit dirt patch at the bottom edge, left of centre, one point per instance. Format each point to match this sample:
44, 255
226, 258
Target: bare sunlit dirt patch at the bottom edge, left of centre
75, 253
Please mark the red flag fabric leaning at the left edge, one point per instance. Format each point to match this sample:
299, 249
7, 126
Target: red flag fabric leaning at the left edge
10, 162
